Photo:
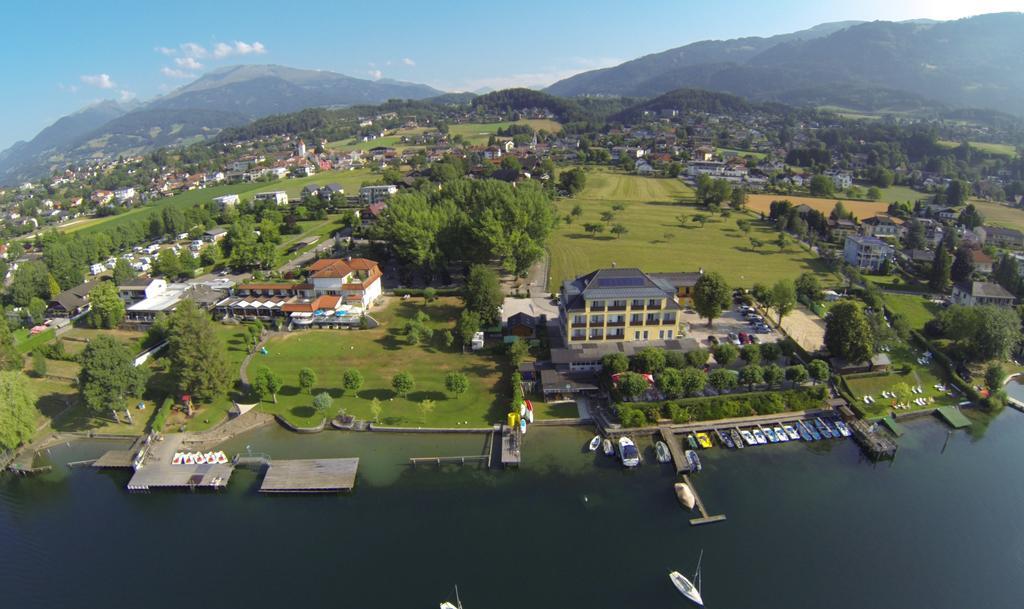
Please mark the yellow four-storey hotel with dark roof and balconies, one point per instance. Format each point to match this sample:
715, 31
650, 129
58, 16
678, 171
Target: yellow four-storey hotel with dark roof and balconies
619, 304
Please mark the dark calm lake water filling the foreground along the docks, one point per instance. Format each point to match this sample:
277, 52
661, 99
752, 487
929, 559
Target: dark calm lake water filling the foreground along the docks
809, 527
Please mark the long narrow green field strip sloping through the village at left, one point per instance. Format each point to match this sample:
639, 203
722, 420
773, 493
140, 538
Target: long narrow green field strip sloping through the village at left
351, 181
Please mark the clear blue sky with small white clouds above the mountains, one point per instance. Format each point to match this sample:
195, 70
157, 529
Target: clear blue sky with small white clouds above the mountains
64, 56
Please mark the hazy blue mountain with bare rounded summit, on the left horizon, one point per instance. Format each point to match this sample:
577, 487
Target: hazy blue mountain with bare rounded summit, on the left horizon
228, 98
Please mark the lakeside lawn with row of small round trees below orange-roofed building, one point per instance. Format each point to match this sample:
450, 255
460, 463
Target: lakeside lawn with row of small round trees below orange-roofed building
379, 355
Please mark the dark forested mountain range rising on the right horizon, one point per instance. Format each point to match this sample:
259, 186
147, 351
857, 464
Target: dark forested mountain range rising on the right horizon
879, 66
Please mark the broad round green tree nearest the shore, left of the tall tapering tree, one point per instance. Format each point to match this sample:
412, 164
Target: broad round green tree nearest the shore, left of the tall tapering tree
109, 376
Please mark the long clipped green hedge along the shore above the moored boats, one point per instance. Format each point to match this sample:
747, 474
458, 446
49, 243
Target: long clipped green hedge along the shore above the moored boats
722, 407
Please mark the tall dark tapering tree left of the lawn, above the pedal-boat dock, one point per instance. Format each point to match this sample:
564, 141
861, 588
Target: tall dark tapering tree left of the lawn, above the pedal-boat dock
197, 355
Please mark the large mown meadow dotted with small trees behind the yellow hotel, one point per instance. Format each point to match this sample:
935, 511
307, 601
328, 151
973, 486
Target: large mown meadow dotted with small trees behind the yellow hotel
657, 242
